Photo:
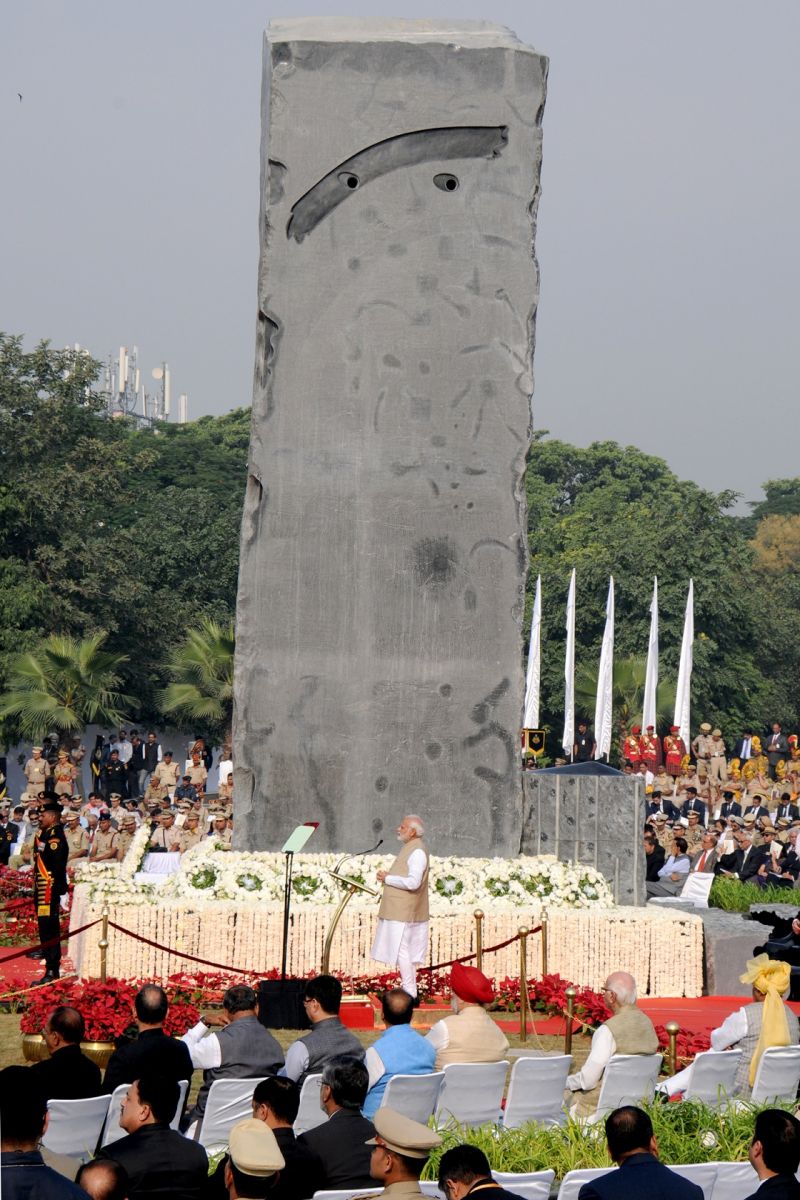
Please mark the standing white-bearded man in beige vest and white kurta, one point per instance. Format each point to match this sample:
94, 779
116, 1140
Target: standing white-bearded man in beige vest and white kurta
402, 934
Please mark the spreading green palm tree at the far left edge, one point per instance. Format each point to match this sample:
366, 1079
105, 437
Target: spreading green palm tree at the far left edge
63, 686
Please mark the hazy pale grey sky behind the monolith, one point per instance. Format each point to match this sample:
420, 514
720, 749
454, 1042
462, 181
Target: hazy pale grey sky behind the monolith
667, 230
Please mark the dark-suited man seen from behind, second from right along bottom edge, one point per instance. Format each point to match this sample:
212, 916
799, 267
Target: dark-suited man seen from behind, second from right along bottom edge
641, 1177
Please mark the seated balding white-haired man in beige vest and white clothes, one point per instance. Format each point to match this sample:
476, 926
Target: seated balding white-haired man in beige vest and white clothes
628, 1031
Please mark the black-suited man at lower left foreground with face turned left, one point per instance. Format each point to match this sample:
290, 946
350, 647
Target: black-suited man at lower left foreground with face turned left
159, 1161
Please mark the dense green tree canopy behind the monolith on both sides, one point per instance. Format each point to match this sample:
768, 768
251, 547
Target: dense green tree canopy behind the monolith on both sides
106, 527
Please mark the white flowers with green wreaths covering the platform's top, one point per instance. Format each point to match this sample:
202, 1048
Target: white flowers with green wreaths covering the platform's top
209, 873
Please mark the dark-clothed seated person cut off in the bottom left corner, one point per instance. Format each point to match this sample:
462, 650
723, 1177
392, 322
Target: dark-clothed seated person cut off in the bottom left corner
23, 1121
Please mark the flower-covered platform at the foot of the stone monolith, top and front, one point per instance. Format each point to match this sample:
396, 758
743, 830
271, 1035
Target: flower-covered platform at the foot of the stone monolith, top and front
227, 908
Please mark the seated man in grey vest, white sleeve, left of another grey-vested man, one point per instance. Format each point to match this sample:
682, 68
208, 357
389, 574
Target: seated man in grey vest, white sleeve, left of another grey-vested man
243, 1048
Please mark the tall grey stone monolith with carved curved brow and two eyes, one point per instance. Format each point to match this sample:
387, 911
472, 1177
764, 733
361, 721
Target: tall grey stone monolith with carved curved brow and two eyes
383, 551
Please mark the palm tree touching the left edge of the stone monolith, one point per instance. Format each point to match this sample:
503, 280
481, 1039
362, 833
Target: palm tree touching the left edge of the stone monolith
203, 679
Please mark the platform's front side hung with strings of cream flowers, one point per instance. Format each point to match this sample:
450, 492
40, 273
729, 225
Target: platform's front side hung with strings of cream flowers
160, 938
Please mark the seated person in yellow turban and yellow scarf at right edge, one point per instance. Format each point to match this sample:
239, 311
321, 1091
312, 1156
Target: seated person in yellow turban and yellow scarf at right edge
765, 1023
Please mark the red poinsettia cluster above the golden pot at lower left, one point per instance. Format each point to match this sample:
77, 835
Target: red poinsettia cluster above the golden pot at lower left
107, 1009
